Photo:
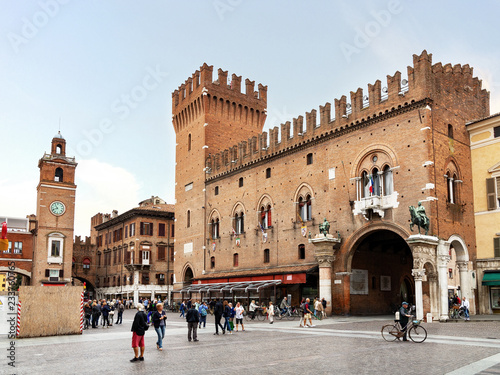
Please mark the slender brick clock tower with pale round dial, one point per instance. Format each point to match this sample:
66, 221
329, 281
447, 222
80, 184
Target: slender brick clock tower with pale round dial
55, 212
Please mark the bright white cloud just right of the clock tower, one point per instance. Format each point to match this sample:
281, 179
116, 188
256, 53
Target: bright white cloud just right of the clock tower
102, 188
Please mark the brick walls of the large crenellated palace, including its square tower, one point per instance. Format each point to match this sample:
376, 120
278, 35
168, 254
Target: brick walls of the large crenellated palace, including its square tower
414, 130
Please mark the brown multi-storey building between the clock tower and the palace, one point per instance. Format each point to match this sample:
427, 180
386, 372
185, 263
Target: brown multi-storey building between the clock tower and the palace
134, 251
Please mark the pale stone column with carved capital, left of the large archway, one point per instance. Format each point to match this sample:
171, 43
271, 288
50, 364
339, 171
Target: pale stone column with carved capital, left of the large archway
324, 253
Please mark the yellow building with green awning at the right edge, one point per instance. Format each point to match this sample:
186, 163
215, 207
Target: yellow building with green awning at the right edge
485, 153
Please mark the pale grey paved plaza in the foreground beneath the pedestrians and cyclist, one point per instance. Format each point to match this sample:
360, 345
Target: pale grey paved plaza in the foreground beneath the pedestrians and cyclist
341, 345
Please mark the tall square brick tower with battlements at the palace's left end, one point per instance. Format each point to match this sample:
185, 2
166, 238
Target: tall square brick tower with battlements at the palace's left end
208, 117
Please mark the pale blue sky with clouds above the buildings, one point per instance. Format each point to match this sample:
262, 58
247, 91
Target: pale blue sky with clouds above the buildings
105, 71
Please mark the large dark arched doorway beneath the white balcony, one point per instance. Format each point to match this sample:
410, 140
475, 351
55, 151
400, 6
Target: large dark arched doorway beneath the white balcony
381, 273
